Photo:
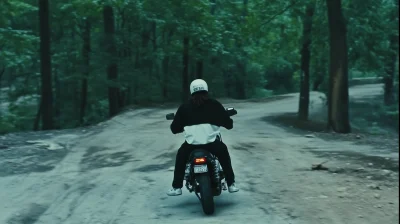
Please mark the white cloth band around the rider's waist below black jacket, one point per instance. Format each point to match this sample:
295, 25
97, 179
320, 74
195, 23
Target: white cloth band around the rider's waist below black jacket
201, 134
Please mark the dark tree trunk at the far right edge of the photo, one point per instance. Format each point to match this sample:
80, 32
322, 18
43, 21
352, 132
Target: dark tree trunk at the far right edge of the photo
391, 60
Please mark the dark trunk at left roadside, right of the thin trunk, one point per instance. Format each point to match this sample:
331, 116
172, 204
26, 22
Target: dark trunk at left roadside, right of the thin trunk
112, 68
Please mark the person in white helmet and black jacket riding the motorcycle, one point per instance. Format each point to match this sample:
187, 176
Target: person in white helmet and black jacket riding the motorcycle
200, 119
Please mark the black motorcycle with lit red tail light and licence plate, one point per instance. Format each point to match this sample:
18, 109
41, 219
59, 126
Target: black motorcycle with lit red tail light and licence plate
204, 175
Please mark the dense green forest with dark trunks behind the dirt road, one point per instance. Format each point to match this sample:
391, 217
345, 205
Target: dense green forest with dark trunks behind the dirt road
65, 64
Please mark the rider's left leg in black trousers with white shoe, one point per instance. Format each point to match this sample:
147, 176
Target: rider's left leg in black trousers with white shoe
180, 165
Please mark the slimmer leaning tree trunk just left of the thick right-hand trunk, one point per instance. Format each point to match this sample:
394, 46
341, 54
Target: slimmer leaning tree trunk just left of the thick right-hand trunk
304, 99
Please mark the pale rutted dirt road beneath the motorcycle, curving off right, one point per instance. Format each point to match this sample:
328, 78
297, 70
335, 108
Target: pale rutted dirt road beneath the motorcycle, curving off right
118, 172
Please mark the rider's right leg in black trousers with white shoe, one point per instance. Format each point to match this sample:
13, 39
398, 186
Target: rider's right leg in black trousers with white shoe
220, 150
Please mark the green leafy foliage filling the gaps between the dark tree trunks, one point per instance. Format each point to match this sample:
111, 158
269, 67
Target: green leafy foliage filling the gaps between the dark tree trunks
248, 51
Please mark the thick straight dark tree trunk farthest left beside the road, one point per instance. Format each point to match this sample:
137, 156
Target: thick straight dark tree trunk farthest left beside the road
45, 66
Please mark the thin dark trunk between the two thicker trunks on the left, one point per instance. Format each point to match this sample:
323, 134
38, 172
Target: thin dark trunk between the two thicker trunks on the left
86, 64
